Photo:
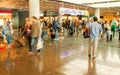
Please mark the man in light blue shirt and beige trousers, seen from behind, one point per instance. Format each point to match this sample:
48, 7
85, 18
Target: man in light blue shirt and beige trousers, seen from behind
95, 31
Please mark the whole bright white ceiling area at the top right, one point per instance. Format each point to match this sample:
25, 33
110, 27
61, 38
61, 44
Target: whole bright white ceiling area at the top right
96, 3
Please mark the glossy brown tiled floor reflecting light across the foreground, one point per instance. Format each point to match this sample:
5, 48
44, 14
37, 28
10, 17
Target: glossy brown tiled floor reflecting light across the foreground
68, 56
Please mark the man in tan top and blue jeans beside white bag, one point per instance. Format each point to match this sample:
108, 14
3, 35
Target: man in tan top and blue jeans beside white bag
35, 33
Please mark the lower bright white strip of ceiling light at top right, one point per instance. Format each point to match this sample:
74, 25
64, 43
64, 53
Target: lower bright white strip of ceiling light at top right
104, 5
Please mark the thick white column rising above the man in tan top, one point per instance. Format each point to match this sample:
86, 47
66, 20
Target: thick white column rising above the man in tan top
34, 8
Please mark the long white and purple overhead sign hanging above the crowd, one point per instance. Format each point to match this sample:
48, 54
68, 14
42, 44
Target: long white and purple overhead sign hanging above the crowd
73, 11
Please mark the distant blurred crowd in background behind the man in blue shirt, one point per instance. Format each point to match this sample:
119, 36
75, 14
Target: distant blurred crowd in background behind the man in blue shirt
75, 26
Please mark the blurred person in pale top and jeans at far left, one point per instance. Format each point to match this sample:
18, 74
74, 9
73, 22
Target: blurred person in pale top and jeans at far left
7, 31
